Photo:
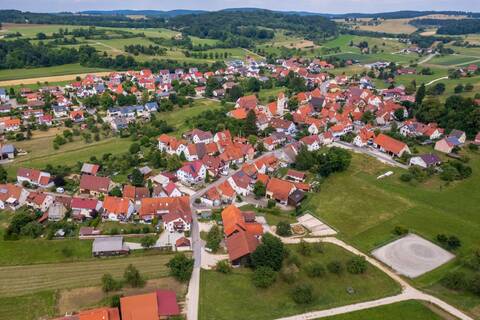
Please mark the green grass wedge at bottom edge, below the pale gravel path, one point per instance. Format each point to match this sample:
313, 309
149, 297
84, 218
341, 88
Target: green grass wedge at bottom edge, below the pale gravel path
411, 310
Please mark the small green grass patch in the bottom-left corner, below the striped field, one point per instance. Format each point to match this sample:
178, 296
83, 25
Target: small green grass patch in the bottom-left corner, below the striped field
32, 306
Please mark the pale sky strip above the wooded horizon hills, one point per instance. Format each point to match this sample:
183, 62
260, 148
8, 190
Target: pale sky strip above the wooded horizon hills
323, 6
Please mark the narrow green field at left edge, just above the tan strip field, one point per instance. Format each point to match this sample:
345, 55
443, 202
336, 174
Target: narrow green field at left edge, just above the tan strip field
66, 69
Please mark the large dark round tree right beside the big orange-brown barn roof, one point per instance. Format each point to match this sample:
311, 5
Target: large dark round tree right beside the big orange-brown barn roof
269, 253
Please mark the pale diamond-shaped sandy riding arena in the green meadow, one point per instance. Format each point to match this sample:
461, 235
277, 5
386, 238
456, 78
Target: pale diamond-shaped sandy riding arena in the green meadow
412, 255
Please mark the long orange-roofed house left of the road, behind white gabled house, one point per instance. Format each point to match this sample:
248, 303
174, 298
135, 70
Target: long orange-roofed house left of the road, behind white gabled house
158, 207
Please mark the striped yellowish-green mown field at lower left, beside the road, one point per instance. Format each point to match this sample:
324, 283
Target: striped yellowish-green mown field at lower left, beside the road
21, 280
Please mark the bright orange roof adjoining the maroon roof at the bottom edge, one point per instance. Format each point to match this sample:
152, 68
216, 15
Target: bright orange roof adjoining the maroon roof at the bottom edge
140, 307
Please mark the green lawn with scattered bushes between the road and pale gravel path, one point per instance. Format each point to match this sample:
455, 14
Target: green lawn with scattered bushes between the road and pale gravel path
233, 296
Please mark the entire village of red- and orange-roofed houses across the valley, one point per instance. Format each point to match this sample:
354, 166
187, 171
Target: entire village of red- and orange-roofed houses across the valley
222, 176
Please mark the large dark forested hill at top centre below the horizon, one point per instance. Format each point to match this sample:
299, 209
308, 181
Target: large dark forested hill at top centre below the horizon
241, 28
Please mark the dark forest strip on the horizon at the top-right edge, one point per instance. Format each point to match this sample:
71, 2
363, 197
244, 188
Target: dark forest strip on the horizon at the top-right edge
450, 26
